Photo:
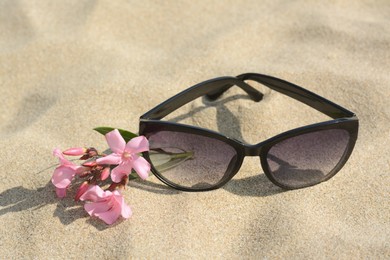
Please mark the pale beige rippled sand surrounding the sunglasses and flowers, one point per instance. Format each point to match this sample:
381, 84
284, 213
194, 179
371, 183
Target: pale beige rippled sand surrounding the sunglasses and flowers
69, 66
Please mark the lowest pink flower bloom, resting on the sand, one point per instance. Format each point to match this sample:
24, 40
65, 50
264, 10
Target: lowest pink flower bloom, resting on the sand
106, 205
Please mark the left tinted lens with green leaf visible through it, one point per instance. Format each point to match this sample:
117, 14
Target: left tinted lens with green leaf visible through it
189, 160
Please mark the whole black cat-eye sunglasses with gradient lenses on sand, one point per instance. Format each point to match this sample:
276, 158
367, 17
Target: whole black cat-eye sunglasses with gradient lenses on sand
191, 158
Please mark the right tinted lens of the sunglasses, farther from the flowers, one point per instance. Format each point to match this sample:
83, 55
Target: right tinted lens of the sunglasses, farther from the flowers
308, 158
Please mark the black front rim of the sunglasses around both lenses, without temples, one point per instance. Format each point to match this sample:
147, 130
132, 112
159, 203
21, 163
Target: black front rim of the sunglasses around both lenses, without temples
261, 149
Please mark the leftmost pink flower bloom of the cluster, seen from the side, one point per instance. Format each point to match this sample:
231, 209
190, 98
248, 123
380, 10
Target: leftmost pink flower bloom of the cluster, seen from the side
64, 173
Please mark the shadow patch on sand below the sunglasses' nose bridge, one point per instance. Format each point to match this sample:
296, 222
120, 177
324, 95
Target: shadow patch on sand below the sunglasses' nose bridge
253, 186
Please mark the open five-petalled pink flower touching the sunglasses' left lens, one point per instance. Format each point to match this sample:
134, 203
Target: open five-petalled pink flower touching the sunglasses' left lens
125, 155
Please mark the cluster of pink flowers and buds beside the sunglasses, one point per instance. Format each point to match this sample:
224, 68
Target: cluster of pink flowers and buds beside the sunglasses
94, 173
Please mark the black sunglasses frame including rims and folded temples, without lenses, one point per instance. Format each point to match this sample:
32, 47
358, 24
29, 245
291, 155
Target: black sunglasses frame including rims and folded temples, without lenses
343, 119
